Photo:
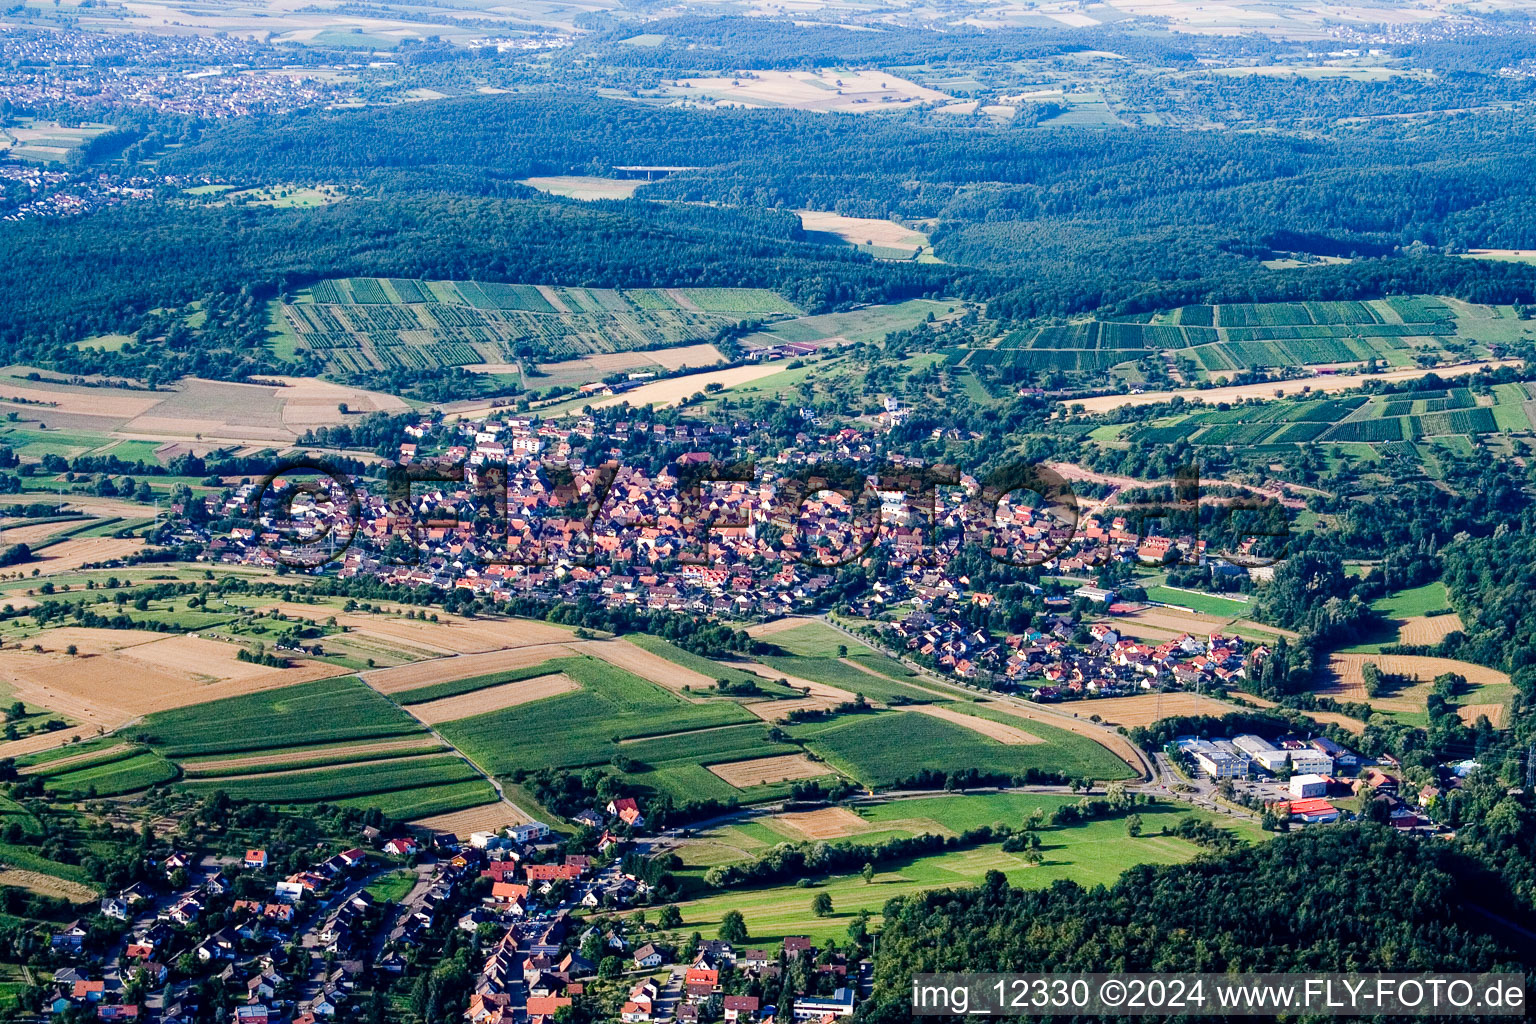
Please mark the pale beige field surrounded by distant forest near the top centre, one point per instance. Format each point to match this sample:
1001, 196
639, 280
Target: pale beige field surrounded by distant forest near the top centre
809, 90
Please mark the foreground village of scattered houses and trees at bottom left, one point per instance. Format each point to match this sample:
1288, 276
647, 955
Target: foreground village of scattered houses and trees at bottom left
306, 946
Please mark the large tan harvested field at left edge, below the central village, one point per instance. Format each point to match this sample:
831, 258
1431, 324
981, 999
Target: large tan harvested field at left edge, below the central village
122, 675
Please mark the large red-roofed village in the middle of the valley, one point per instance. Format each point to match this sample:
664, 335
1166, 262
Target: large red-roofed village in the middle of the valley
756, 549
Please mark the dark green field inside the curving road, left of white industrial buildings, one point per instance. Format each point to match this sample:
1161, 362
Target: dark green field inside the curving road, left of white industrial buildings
881, 750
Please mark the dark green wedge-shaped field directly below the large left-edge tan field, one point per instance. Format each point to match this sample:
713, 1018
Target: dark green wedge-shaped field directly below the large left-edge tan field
325, 712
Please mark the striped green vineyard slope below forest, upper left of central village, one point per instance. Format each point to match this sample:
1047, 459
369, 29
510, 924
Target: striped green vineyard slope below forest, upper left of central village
359, 325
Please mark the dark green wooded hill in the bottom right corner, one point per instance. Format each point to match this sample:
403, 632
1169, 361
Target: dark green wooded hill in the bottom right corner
1360, 899
